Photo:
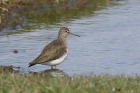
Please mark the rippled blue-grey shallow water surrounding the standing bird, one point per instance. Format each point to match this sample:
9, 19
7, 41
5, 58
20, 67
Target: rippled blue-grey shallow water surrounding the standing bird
109, 42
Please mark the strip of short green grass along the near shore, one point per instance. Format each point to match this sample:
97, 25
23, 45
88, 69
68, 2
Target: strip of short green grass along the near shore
16, 83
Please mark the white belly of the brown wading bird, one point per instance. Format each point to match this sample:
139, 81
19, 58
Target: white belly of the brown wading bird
57, 61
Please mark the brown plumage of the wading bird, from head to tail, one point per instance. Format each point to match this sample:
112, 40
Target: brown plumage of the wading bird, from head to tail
55, 50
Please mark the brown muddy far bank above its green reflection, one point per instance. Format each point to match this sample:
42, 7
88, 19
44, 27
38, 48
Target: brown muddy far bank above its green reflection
13, 9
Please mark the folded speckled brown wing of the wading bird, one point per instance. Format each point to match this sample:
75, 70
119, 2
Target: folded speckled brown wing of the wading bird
52, 51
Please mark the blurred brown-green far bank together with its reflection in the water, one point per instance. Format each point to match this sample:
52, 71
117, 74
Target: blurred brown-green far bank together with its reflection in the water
16, 13
